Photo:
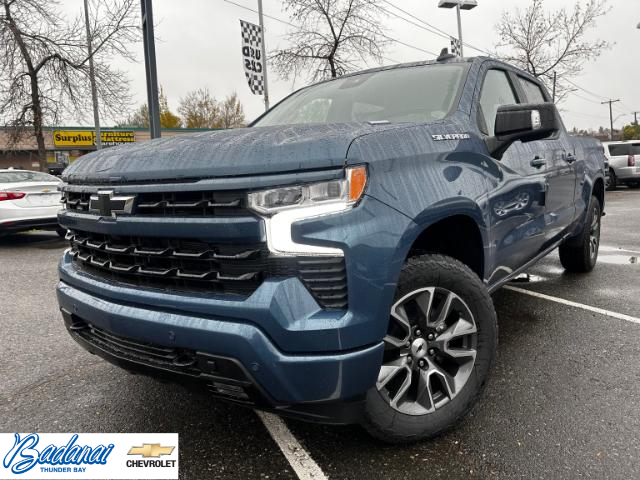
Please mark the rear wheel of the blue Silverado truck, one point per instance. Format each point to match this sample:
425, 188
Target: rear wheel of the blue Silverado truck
580, 254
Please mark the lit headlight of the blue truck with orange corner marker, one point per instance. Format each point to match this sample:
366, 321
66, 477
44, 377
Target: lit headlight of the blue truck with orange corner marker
281, 207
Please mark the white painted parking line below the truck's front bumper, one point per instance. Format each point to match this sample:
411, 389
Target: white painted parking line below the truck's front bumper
294, 452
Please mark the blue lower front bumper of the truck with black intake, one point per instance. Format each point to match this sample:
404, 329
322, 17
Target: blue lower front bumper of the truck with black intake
233, 358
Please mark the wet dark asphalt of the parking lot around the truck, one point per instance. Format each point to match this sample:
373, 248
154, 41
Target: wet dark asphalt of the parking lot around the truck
562, 402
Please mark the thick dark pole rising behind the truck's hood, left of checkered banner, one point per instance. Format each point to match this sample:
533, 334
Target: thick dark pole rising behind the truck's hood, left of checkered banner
150, 68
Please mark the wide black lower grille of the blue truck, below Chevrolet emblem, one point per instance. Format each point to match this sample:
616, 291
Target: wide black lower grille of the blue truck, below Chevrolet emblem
196, 266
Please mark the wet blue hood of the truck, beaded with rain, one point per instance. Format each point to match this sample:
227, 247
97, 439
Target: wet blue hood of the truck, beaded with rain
246, 151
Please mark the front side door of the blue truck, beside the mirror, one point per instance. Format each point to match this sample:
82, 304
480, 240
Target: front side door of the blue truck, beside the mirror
516, 196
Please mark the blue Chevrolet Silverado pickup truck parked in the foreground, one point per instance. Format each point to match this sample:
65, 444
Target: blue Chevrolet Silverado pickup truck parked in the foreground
334, 261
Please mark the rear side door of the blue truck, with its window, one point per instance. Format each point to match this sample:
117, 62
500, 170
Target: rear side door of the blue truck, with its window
561, 162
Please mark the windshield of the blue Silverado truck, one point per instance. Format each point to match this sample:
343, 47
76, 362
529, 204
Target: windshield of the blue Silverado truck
412, 94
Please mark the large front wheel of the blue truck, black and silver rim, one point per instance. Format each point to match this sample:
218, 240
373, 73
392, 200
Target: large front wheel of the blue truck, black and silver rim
439, 350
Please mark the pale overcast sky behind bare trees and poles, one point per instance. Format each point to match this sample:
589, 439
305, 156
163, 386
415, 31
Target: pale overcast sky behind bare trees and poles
199, 46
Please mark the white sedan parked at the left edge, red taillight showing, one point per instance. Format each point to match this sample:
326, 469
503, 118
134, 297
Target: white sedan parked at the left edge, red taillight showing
29, 200
